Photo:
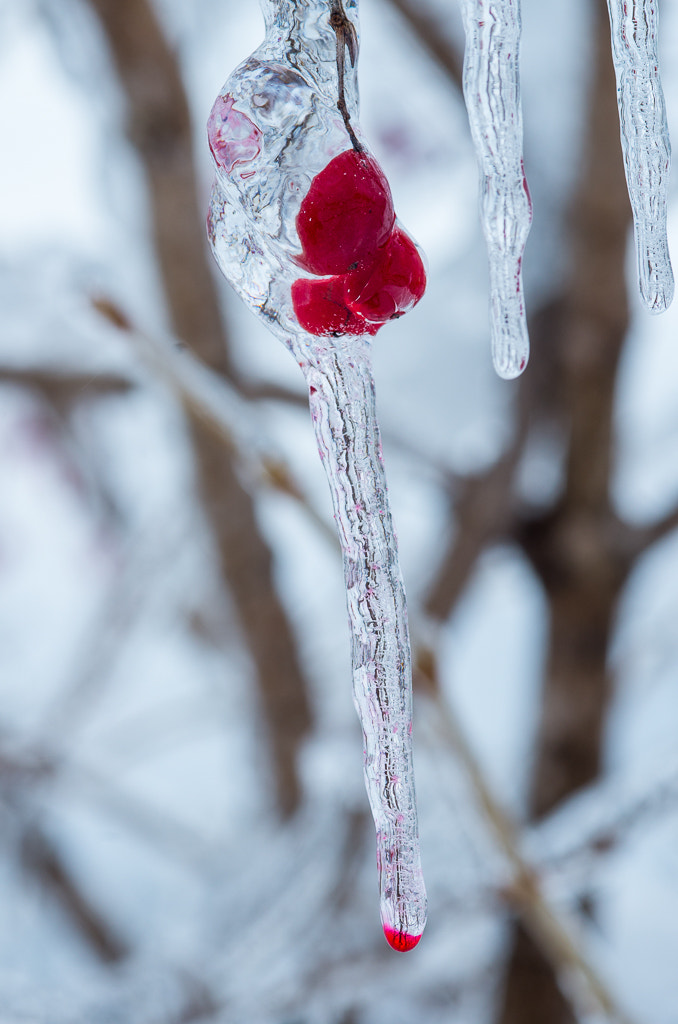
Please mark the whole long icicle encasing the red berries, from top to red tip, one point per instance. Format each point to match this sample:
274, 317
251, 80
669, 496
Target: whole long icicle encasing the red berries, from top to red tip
283, 130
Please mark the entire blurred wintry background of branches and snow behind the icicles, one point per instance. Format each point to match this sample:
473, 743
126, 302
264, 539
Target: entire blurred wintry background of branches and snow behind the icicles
186, 836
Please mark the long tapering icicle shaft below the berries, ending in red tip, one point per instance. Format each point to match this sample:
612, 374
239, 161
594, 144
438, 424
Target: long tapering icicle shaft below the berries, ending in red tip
343, 403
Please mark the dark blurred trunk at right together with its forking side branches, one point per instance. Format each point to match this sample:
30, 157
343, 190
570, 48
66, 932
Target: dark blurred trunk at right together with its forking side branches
580, 549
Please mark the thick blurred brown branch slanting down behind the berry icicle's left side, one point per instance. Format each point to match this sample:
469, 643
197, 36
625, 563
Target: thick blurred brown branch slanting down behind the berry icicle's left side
160, 129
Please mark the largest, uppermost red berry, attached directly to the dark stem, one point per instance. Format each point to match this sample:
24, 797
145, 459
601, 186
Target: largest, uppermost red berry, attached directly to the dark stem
347, 216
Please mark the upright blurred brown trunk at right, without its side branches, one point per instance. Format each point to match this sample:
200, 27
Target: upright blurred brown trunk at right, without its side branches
578, 548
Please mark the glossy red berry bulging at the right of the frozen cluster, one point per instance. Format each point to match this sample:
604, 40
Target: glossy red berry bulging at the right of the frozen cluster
394, 284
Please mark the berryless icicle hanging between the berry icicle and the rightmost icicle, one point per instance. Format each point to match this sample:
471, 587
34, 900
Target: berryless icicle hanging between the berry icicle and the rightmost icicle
492, 92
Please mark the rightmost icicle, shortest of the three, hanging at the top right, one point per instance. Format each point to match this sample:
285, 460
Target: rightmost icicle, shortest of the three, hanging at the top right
645, 142
